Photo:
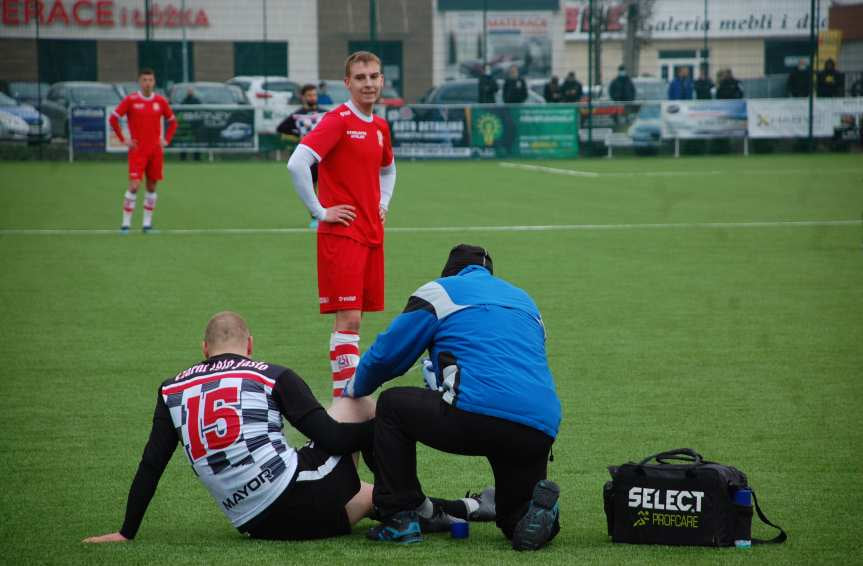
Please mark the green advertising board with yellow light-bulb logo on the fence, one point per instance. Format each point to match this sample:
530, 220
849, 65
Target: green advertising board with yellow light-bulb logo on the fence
524, 131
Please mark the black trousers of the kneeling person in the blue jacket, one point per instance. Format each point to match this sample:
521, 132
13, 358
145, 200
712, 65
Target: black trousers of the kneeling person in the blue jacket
518, 454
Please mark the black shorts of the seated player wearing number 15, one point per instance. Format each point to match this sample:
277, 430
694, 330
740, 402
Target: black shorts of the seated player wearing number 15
313, 506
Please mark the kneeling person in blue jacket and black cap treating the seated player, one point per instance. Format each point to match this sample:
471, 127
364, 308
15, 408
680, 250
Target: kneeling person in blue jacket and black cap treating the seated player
489, 393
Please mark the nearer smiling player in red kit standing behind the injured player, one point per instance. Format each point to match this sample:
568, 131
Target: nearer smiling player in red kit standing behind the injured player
356, 178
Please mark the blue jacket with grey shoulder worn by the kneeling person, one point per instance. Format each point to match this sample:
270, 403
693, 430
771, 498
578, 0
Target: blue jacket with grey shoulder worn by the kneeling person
486, 340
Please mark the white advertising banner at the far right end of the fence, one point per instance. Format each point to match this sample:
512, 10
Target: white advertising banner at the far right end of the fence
789, 117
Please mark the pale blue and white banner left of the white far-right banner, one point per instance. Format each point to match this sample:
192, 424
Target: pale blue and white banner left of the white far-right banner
700, 119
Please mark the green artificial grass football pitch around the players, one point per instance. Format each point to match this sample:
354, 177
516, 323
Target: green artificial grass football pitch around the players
682, 310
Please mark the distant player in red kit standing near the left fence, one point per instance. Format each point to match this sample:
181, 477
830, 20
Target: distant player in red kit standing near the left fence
145, 110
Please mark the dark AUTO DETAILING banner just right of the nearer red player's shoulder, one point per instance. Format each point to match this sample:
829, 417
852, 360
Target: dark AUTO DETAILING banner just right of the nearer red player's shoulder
429, 131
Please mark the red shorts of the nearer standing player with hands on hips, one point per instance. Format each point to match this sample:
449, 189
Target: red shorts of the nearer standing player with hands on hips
350, 275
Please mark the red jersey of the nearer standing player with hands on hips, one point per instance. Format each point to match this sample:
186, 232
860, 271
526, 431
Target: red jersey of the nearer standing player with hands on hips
352, 151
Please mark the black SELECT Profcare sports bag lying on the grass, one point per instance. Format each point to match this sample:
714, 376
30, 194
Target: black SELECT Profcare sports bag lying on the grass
681, 499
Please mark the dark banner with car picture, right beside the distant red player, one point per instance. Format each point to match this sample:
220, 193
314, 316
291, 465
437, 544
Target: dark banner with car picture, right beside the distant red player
215, 128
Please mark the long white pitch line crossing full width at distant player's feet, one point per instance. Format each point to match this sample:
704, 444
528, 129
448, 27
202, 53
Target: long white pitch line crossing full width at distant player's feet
419, 229
